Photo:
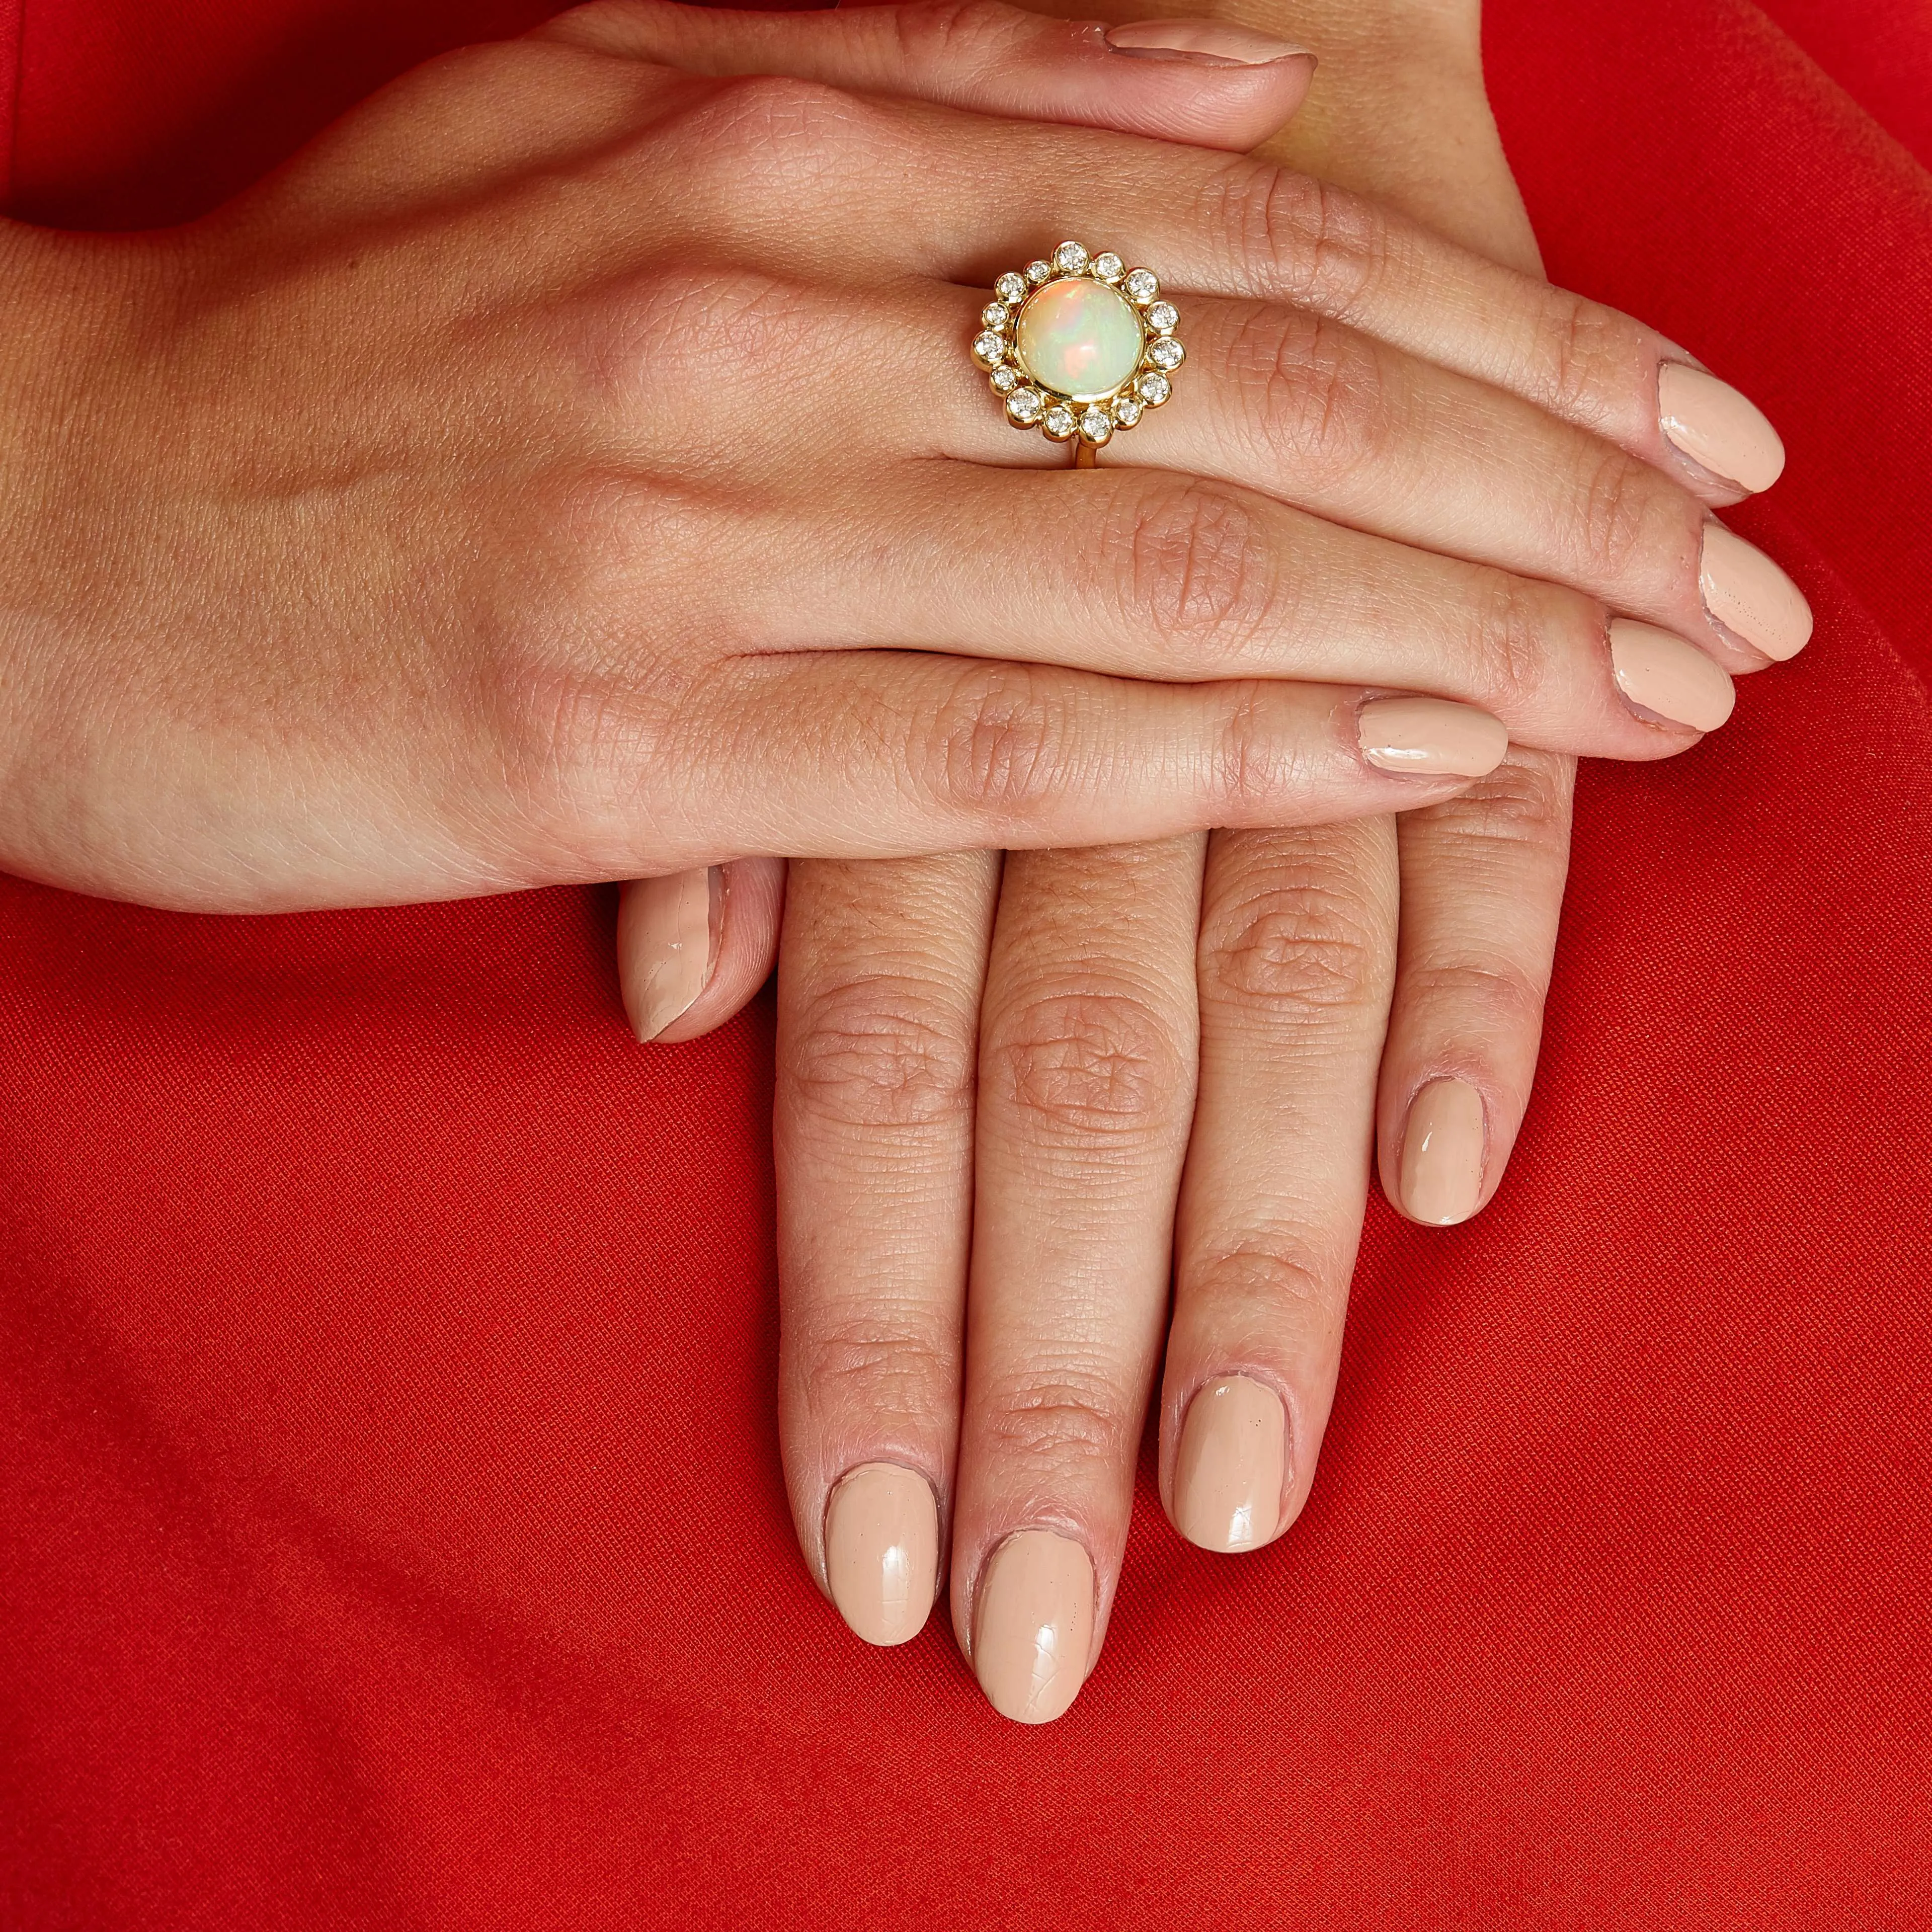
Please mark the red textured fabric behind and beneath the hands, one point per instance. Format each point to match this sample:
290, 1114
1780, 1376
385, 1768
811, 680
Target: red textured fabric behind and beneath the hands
393, 1531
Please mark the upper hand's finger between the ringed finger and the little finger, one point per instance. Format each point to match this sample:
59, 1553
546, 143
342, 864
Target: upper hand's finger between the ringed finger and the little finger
1158, 575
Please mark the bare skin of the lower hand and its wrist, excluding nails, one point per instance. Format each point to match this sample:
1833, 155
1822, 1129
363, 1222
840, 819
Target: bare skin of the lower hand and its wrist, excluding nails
1013, 1100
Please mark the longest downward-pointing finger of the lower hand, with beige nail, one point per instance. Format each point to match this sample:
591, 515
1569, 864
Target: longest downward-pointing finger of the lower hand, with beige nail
1087, 1085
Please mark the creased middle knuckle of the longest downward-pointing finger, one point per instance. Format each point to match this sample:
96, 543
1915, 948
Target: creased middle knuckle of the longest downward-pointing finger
1091, 1064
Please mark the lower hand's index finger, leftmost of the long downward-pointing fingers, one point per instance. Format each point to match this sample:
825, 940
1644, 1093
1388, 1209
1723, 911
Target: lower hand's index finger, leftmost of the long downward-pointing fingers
878, 1025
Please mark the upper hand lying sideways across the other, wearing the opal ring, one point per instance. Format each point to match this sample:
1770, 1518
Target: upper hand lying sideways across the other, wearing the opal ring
567, 470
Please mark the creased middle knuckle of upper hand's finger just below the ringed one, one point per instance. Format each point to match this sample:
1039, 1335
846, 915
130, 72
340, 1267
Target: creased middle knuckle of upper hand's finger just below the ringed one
1201, 573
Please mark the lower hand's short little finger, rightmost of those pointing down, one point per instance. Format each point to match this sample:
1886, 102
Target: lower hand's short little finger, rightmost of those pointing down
1483, 890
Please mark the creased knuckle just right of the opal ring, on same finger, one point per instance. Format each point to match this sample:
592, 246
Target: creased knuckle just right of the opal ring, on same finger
1315, 389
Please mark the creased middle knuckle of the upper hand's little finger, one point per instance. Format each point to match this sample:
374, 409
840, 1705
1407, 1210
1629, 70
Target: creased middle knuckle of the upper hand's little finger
1000, 743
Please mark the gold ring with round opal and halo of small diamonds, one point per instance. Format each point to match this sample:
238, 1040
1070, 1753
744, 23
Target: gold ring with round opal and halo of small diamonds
1079, 347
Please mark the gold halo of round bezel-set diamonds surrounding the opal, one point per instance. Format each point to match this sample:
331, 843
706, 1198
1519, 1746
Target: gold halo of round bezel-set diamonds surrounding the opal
1056, 414
